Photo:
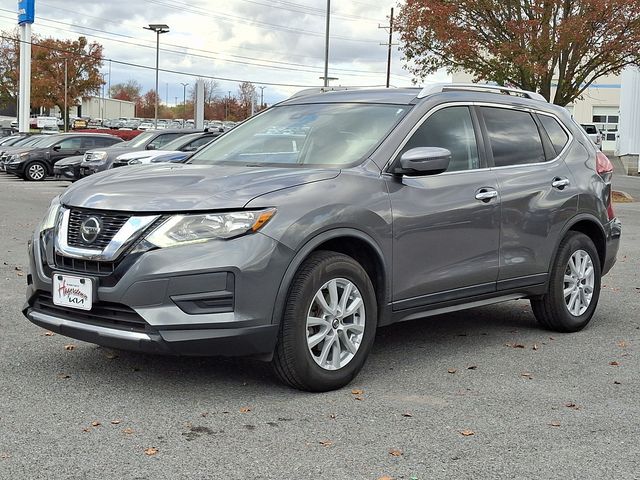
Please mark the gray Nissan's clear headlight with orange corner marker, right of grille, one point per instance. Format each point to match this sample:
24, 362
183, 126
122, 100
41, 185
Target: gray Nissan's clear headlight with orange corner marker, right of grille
186, 229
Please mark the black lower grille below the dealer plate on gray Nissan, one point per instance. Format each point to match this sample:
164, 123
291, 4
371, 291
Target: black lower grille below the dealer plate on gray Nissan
102, 314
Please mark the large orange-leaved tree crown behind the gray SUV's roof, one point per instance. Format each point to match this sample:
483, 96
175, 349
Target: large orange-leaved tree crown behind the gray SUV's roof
555, 47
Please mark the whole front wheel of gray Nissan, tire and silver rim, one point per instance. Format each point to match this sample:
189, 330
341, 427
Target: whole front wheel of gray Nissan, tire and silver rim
329, 324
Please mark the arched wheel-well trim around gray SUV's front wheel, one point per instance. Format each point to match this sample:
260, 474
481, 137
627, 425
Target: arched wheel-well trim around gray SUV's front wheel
310, 246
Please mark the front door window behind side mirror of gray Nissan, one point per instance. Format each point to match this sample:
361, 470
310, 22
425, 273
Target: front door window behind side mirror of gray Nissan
449, 128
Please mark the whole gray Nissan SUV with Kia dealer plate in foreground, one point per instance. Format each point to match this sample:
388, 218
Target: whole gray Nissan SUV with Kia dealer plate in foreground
295, 235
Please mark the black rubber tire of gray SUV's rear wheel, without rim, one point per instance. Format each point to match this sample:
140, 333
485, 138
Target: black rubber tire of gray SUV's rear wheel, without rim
551, 310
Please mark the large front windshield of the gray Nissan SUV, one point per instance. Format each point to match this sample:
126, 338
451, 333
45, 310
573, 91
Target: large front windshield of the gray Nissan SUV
316, 134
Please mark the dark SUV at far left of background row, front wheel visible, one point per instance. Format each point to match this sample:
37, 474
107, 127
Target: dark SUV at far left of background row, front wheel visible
36, 162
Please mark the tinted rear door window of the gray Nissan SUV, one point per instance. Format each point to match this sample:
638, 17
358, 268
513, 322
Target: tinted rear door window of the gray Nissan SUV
513, 137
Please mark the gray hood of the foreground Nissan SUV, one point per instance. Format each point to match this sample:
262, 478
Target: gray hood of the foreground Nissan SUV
183, 188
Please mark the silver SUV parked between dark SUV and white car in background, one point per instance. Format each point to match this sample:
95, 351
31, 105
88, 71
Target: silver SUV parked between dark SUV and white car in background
102, 159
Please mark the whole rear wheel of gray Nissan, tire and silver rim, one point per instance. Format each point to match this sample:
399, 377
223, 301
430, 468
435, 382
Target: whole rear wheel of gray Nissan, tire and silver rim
574, 286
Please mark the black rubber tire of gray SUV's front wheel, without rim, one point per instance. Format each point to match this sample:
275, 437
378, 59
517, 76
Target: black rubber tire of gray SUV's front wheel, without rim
293, 361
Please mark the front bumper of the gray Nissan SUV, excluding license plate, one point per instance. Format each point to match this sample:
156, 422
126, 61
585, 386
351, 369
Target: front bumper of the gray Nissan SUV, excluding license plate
215, 298
